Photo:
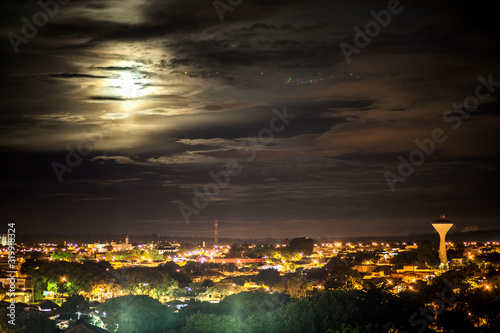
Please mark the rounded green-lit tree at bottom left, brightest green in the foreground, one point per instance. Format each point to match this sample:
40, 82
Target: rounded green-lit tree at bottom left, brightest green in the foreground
136, 314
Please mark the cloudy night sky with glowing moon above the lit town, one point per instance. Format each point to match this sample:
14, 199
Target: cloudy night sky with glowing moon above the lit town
154, 97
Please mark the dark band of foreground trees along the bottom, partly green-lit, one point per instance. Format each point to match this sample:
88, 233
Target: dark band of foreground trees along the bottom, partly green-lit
449, 303
